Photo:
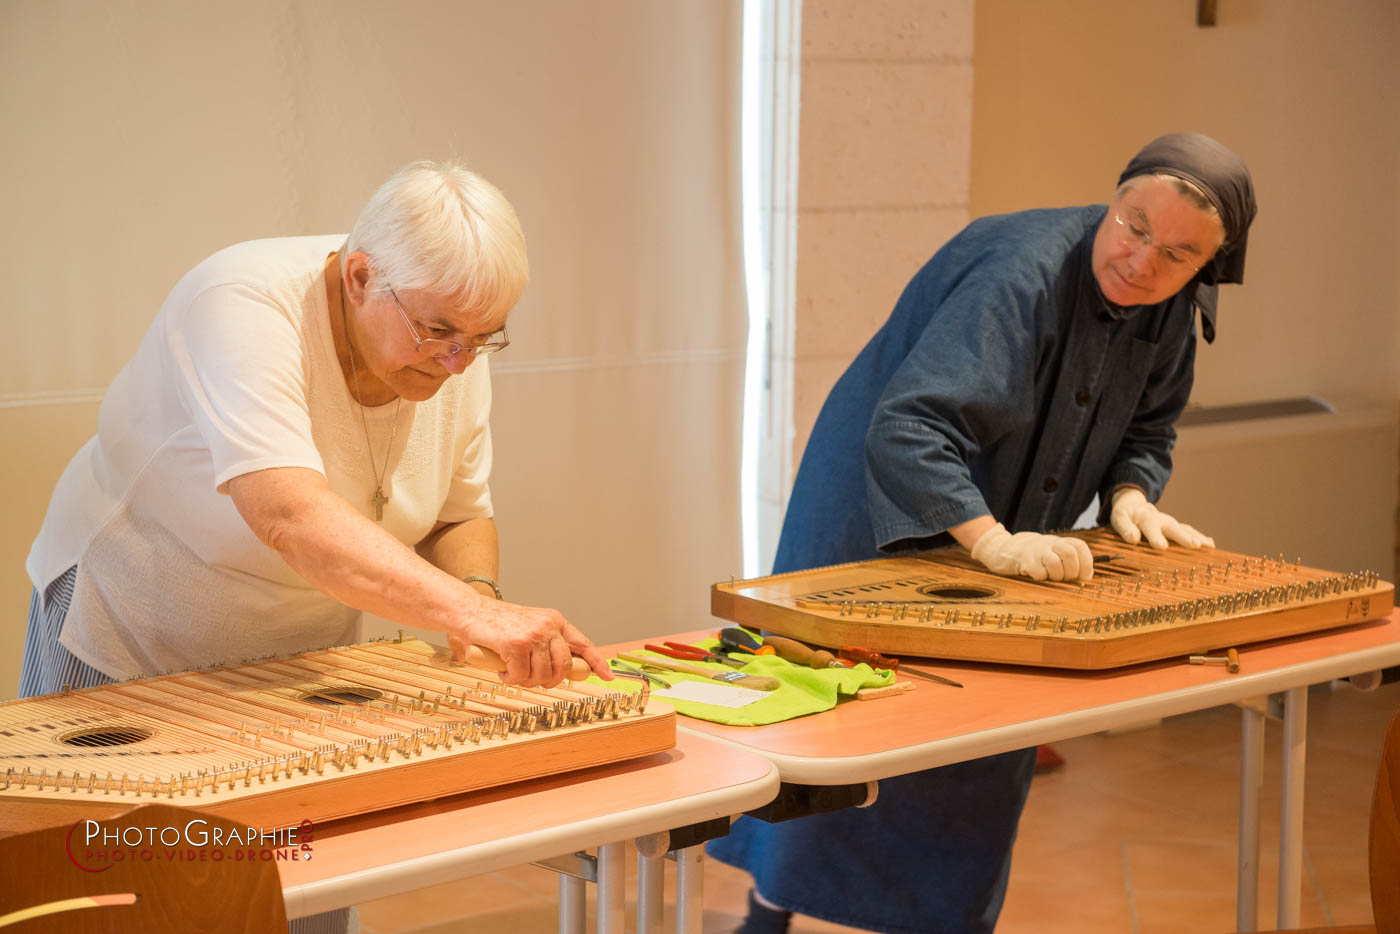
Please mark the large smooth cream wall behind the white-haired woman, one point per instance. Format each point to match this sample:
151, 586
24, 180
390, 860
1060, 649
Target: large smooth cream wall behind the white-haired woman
145, 135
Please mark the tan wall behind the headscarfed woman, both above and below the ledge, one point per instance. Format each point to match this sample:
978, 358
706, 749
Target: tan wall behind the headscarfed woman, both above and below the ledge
1308, 95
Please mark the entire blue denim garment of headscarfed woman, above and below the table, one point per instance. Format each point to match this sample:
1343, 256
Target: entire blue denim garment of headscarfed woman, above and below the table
1004, 384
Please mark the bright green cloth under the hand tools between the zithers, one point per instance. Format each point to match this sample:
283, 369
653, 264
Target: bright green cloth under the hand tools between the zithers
806, 691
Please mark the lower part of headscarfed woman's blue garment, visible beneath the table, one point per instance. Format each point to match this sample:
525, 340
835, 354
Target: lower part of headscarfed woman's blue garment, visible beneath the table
933, 853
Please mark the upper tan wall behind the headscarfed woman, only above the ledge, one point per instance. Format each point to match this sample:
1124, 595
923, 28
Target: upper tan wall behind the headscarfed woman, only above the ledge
1305, 92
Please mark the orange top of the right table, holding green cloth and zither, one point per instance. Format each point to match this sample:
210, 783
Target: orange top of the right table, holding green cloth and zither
1006, 708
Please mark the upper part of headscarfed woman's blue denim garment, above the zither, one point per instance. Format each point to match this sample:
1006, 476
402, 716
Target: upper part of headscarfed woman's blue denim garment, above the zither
1003, 384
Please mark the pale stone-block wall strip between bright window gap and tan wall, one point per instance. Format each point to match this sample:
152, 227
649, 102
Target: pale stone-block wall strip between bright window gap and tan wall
884, 169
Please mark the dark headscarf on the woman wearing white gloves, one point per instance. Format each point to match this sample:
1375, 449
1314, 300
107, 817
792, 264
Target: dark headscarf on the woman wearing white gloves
1226, 181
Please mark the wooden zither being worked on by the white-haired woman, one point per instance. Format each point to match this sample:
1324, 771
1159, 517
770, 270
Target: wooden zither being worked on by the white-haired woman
320, 736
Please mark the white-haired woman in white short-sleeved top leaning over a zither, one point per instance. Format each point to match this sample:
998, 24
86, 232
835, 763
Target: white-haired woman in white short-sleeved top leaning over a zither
302, 436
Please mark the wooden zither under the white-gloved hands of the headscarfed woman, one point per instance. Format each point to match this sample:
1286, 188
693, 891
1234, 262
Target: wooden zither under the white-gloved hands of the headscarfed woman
1142, 604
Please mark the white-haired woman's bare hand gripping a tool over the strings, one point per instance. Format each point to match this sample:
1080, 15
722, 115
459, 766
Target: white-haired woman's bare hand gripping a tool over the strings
537, 643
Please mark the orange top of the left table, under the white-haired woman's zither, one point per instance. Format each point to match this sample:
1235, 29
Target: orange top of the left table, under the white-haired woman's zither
404, 849
